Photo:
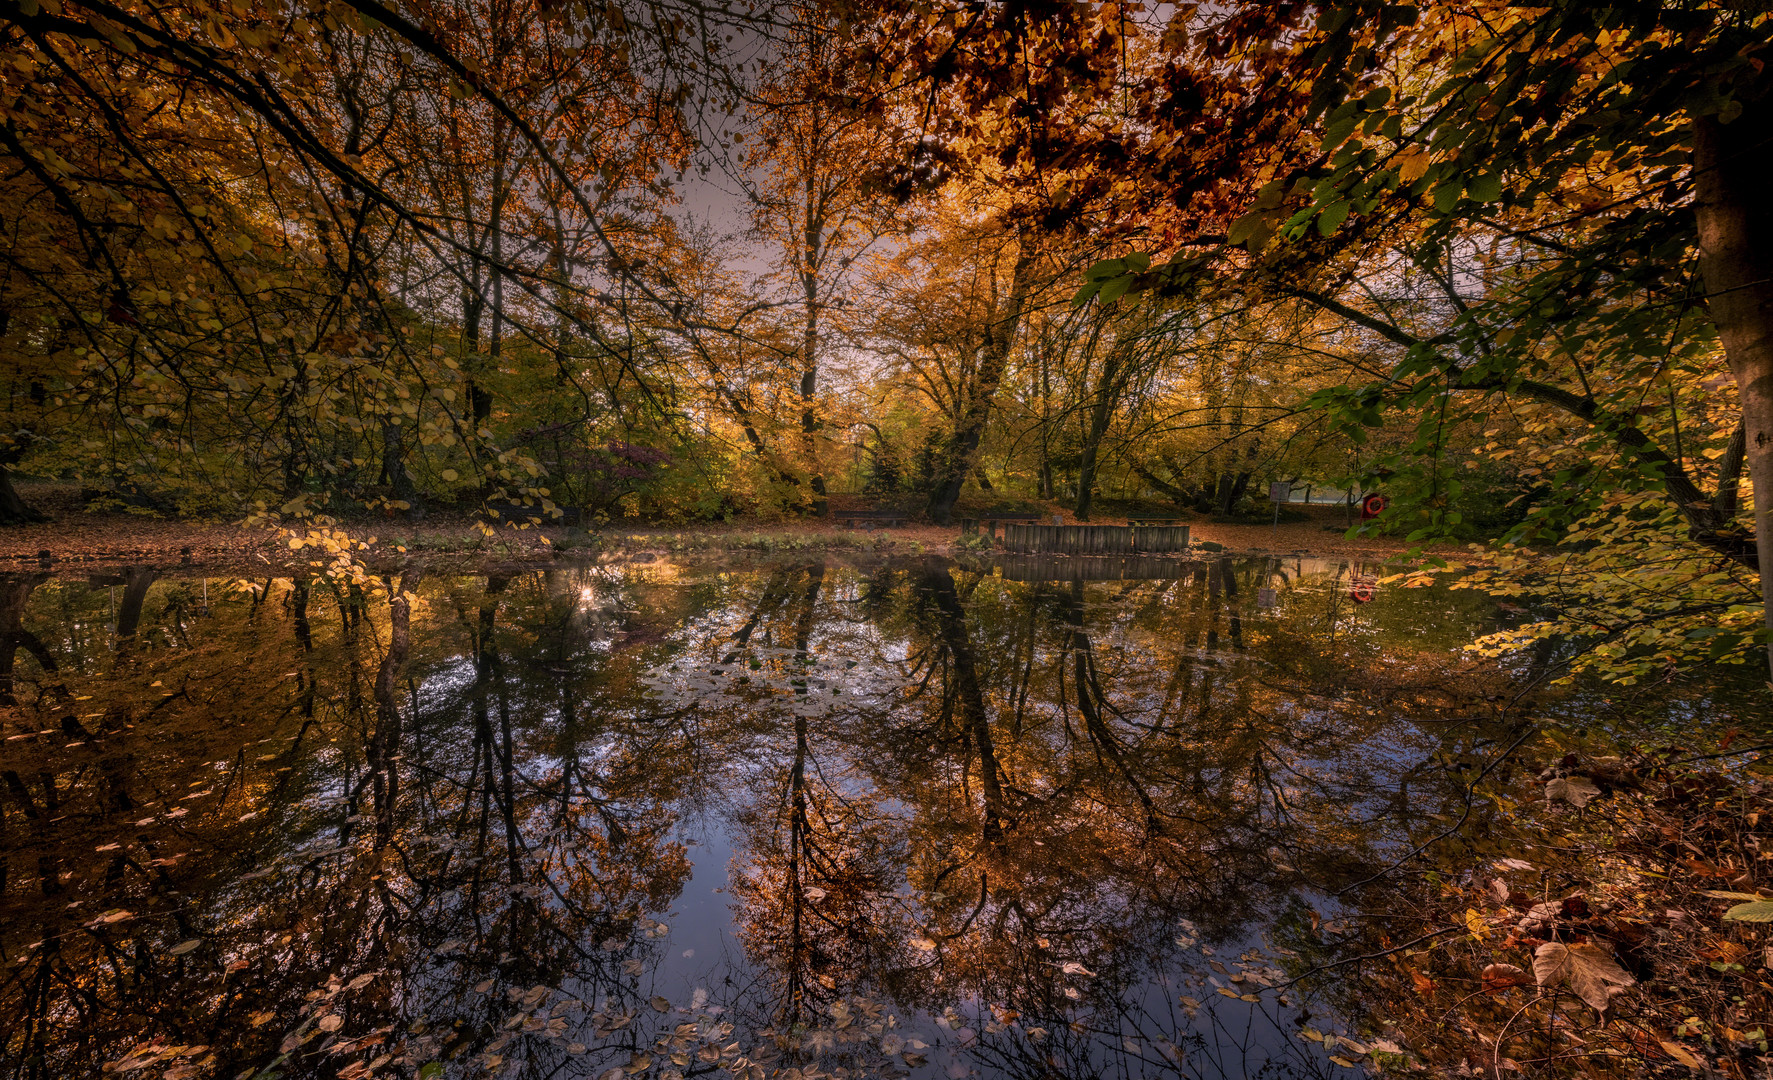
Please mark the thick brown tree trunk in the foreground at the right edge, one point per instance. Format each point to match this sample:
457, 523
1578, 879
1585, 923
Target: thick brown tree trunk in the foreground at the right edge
1731, 164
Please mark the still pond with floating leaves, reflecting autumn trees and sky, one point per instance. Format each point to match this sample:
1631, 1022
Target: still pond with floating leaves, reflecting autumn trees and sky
797, 818
